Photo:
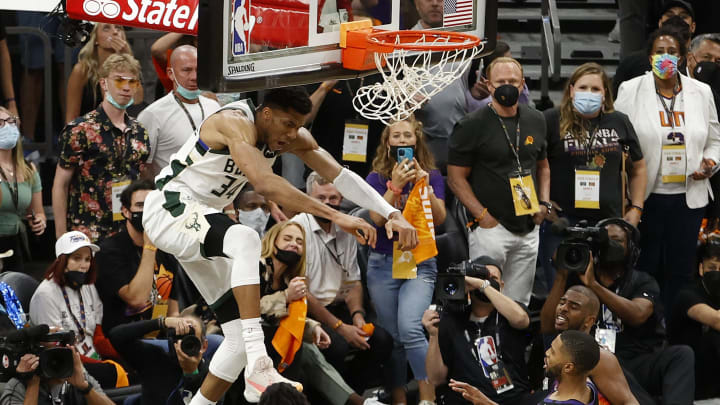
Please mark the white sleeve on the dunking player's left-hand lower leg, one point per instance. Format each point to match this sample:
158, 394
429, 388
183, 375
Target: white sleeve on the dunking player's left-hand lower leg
229, 359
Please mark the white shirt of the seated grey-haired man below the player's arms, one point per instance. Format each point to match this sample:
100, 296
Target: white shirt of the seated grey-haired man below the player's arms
330, 260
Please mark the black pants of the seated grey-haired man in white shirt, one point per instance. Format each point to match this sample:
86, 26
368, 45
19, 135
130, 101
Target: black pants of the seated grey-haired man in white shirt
363, 364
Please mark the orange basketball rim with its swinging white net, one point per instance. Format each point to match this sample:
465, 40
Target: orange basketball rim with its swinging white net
410, 78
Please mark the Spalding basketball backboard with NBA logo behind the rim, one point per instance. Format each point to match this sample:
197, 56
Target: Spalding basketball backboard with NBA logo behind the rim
248, 45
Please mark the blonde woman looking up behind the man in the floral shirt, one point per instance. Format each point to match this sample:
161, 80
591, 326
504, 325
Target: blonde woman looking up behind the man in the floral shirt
83, 90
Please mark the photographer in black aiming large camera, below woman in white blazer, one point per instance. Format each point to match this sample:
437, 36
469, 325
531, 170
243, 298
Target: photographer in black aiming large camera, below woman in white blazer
630, 321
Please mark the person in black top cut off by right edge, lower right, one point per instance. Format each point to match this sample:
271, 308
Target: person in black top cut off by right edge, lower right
696, 320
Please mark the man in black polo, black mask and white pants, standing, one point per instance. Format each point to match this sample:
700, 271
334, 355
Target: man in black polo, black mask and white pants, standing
498, 169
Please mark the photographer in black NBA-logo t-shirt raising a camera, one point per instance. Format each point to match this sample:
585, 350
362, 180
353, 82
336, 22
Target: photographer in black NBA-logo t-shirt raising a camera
483, 345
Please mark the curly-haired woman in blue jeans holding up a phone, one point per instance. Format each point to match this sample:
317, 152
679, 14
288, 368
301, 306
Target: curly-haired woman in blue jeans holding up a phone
400, 303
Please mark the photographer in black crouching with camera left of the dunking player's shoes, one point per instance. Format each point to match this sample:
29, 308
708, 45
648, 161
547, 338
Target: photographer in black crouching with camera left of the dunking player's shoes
165, 375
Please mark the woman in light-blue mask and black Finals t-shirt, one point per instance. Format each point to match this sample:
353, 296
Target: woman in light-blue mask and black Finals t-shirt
587, 146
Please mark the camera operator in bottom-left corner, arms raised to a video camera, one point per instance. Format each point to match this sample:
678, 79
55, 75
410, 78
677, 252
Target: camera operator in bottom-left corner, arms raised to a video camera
31, 387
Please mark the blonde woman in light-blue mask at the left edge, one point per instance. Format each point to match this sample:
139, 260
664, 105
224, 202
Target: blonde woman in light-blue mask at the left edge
22, 191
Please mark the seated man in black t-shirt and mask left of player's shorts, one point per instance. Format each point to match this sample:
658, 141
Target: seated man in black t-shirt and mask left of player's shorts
134, 278
